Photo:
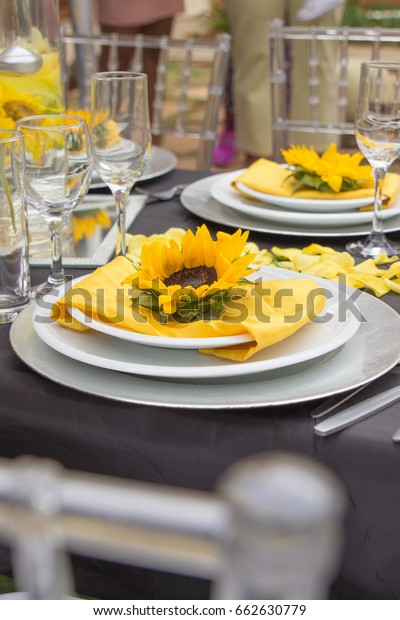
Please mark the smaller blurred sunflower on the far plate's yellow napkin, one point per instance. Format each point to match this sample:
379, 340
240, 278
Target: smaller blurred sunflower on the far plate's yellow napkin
330, 172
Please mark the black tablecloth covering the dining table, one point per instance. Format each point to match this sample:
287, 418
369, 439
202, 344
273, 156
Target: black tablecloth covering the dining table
190, 447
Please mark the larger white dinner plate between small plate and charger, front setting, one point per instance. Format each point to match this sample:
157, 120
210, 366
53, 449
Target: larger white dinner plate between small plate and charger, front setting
315, 339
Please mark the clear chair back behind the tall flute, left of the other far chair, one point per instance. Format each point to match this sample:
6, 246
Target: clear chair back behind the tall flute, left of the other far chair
190, 82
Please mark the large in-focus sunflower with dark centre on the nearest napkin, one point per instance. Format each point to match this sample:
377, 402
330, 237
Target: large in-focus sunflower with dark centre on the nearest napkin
194, 280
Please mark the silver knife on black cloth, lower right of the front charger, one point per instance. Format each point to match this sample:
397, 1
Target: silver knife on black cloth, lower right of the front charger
357, 412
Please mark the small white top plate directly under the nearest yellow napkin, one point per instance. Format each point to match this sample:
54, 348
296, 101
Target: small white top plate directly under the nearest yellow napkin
155, 341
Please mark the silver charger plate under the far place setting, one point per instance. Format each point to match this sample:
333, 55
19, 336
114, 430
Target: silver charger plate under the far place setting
197, 199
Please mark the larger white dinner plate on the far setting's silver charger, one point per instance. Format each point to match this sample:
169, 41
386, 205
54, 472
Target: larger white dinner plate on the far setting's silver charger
223, 191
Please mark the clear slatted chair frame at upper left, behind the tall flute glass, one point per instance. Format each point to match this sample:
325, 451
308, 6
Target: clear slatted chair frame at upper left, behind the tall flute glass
218, 47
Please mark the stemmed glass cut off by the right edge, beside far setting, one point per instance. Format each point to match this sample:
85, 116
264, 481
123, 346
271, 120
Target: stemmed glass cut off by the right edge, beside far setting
377, 130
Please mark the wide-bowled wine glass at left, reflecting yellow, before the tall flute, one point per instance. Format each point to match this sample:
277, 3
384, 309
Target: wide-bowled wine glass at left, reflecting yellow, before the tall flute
58, 156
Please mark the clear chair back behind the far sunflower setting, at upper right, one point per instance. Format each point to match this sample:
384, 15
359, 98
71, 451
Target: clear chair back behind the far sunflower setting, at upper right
349, 47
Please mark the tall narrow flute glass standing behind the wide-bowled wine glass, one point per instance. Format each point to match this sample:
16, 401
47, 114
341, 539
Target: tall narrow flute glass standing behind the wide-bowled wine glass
121, 133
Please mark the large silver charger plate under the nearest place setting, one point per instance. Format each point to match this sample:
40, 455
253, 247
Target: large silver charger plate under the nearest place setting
372, 352
